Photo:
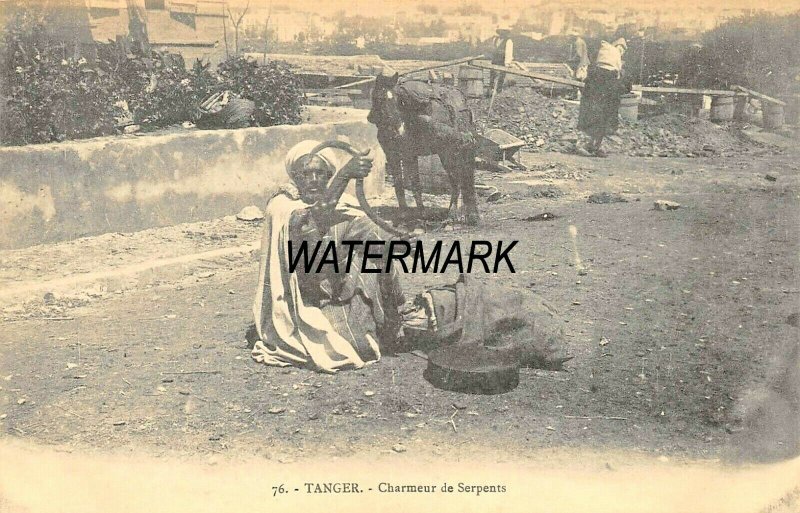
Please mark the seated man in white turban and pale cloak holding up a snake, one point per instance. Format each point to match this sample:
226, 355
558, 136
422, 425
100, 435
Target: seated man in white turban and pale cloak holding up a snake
325, 320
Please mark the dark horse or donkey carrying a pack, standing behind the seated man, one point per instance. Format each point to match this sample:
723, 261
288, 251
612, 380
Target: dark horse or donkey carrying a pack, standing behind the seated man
415, 119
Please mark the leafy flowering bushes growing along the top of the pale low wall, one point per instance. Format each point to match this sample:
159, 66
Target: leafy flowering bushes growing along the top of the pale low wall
46, 96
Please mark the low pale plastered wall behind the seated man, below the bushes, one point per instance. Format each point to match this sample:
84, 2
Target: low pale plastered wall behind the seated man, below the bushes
63, 191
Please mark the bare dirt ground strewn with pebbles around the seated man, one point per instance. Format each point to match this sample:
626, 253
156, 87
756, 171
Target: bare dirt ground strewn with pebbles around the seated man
682, 330
